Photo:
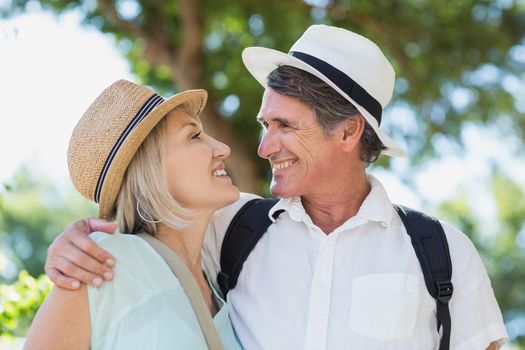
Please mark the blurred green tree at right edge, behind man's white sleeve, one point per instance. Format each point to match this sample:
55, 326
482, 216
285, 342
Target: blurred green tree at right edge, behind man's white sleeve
501, 248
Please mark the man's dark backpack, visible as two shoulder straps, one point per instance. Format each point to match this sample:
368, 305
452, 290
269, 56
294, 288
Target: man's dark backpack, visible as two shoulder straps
426, 234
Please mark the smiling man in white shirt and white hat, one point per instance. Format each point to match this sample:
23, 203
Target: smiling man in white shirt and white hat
336, 269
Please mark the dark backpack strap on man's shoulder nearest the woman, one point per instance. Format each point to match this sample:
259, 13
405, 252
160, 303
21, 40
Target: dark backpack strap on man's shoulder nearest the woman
245, 230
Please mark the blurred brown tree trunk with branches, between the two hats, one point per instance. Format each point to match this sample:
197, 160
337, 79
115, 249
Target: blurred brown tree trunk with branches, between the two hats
186, 63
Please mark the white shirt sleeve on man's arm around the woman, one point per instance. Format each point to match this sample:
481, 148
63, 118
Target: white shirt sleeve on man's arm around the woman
211, 247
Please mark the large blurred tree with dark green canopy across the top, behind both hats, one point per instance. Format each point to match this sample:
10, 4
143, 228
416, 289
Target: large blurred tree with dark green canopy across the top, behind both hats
457, 61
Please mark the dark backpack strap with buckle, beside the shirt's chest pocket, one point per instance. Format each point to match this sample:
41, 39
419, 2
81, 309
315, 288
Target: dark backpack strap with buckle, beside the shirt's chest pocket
430, 244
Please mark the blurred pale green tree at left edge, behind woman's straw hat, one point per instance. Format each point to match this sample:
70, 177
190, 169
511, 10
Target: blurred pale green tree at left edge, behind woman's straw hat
32, 213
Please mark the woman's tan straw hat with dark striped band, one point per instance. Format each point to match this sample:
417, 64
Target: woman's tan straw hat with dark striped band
109, 133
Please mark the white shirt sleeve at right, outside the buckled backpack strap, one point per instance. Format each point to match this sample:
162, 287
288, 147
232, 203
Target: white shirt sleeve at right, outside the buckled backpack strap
474, 311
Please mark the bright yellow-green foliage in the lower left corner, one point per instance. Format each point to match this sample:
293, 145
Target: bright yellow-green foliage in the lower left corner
19, 303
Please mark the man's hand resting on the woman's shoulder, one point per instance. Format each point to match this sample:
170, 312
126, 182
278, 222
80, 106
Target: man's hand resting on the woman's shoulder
74, 258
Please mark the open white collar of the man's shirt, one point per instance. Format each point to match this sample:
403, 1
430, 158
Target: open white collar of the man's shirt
376, 207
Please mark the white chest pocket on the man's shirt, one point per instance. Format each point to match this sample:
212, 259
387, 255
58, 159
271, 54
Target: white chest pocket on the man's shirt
384, 306
